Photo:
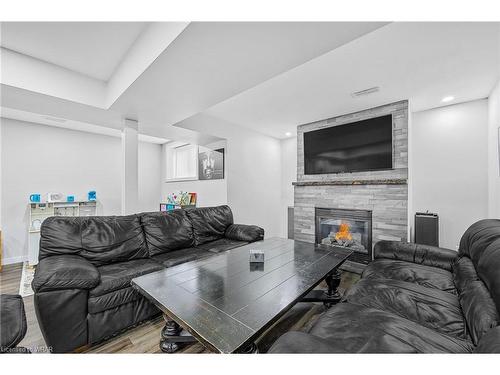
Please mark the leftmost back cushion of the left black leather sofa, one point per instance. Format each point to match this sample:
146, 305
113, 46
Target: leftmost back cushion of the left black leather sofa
99, 239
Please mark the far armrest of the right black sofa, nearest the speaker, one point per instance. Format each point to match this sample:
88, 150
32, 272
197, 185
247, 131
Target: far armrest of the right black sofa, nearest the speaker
410, 252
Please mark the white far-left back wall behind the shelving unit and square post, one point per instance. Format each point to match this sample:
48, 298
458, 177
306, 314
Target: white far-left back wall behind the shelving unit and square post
40, 159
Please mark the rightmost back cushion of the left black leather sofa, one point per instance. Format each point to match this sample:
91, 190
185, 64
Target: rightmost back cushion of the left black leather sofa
210, 223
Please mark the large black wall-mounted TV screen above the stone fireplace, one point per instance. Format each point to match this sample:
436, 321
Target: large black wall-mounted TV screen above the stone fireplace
358, 146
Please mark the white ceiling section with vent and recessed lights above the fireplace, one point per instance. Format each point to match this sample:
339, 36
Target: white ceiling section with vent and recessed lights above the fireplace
422, 62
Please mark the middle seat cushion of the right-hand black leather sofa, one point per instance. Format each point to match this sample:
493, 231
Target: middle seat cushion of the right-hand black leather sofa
432, 308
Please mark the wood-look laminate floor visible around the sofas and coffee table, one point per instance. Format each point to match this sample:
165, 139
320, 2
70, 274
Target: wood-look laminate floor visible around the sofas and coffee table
145, 338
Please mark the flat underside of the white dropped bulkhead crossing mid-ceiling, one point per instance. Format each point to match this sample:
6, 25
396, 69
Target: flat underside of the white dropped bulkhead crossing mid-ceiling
212, 61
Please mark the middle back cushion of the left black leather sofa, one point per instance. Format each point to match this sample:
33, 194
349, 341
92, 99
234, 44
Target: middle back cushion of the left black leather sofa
167, 231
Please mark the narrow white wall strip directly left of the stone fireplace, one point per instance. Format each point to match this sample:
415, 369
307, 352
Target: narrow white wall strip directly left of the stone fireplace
288, 175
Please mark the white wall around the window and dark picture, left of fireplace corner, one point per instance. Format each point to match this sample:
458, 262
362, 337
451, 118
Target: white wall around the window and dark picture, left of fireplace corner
253, 172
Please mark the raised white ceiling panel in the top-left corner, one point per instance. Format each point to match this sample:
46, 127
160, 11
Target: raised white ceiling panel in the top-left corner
91, 48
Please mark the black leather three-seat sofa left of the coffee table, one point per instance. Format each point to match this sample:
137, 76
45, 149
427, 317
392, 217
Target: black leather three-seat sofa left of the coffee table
82, 282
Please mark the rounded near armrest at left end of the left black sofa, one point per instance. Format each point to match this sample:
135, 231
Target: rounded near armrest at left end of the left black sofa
65, 272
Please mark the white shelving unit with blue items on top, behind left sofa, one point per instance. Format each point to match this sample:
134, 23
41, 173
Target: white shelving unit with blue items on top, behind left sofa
41, 211
